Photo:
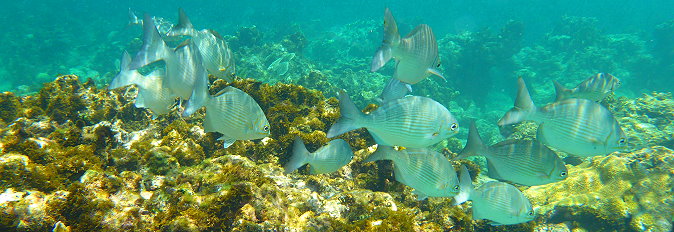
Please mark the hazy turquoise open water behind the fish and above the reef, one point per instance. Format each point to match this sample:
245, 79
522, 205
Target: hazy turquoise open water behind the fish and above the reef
483, 47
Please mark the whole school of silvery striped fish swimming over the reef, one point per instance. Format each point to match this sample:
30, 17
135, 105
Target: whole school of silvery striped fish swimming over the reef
403, 126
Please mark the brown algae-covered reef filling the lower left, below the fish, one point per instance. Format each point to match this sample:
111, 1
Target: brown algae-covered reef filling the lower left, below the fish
128, 172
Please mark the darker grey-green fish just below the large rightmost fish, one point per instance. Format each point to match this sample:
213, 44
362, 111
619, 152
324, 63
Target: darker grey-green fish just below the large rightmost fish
525, 162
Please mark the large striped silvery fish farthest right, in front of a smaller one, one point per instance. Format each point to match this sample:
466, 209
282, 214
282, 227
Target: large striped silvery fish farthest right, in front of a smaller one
576, 126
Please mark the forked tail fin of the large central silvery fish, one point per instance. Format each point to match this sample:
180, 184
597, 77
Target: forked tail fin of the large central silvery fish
350, 116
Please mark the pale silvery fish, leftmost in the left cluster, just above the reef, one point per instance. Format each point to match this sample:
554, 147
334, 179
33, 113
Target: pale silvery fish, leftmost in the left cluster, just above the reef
151, 92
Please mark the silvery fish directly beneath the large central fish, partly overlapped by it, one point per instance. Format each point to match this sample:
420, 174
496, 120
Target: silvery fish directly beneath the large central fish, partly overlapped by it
425, 170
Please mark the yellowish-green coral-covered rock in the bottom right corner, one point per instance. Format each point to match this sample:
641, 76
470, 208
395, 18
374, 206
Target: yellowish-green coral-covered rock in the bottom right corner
622, 191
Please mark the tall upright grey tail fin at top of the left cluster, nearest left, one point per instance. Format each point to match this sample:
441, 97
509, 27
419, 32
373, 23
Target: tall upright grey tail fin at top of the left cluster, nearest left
154, 48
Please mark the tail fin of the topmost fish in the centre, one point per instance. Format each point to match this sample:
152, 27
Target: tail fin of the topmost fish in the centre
391, 39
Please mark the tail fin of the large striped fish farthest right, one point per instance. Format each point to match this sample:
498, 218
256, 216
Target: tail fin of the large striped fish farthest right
523, 109
